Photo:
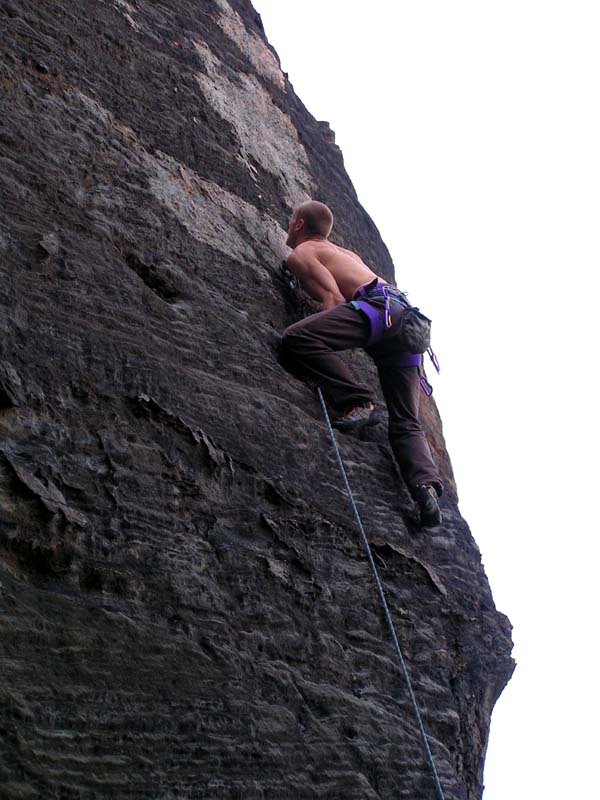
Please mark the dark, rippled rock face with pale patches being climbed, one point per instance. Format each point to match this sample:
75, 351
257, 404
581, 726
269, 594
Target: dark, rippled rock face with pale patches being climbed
186, 610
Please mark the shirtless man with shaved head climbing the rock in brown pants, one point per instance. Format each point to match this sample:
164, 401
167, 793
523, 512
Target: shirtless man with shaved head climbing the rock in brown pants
332, 275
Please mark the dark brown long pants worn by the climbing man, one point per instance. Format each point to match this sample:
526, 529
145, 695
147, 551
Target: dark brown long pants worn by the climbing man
309, 351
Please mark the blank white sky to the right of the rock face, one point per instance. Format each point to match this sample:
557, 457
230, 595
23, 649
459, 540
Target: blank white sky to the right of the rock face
471, 131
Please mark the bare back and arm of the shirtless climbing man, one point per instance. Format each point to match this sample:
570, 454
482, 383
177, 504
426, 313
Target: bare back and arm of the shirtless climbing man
329, 273
